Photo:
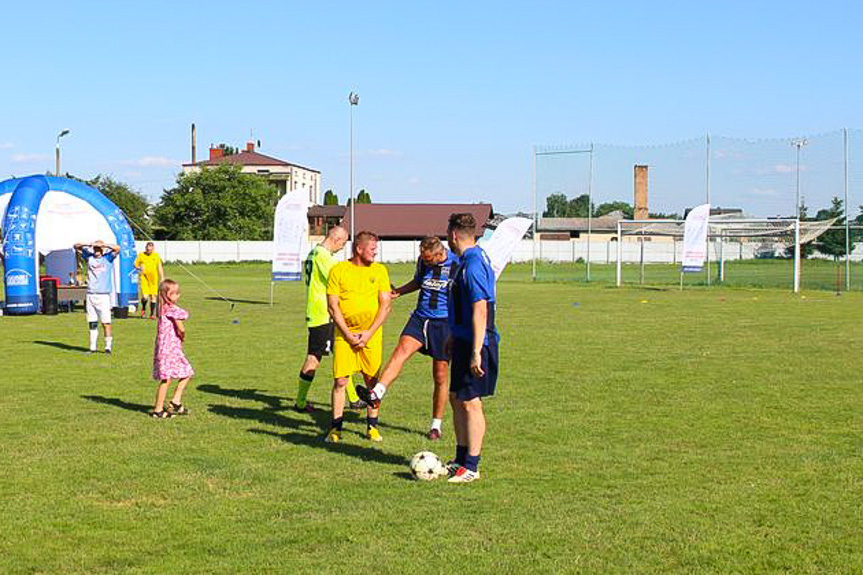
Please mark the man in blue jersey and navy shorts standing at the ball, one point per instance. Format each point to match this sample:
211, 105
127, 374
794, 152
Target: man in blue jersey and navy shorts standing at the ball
473, 345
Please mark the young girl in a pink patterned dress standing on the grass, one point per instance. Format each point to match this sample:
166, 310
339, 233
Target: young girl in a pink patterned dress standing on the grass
169, 361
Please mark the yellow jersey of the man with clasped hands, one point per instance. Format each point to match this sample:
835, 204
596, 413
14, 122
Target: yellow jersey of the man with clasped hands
358, 288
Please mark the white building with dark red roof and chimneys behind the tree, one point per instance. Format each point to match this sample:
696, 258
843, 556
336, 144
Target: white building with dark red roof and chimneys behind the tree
284, 175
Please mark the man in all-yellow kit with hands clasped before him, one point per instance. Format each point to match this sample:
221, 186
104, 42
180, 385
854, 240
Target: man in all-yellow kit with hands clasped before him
358, 296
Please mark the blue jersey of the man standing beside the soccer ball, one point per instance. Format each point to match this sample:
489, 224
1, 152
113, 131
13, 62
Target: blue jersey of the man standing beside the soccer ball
473, 281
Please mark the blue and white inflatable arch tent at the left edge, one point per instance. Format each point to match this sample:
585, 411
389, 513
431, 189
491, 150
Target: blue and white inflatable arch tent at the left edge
44, 213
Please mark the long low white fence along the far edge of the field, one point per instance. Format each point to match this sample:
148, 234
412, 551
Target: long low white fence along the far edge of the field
392, 251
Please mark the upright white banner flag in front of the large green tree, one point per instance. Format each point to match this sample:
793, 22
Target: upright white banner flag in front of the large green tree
290, 236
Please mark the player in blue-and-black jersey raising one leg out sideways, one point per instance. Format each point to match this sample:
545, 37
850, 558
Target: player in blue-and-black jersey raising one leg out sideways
427, 329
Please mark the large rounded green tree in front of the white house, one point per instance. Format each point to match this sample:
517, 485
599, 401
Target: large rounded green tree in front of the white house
217, 204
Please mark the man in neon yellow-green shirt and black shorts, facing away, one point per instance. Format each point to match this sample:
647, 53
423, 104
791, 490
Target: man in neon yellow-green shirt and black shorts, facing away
316, 271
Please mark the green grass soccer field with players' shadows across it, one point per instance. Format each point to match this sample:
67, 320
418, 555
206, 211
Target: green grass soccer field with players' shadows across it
634, 431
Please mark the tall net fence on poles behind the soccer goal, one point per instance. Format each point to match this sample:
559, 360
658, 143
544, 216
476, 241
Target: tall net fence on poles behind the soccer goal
760, 179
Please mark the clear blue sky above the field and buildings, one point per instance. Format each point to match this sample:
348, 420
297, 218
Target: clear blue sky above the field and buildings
453, 95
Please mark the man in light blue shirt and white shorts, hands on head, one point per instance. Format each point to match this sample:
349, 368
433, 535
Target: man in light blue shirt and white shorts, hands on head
100, 283
